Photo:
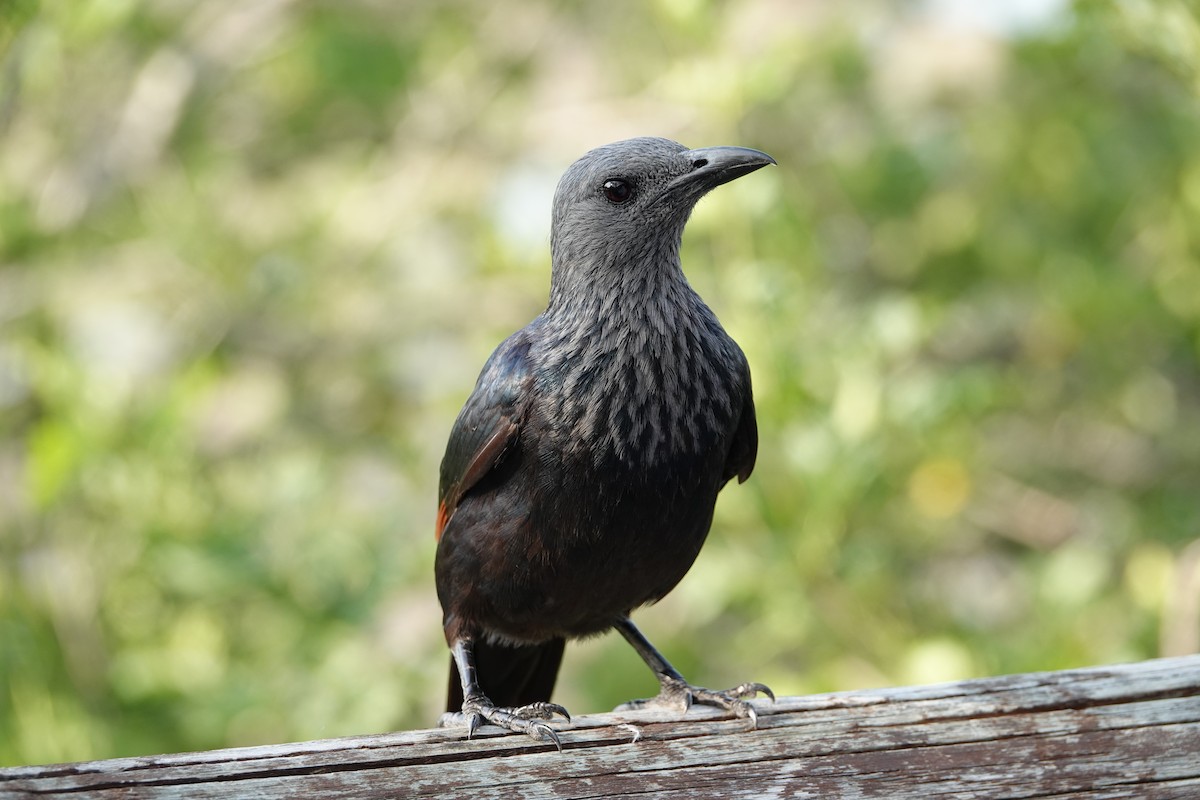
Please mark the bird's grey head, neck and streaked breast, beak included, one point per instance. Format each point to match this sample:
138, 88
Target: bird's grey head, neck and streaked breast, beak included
637, 365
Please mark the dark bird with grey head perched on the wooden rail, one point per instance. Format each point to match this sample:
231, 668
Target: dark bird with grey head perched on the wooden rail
580, 478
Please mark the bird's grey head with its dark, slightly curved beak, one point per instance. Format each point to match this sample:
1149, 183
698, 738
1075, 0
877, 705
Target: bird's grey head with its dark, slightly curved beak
626, 203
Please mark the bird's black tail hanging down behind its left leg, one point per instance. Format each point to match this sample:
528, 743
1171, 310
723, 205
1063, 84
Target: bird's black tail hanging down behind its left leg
511, 676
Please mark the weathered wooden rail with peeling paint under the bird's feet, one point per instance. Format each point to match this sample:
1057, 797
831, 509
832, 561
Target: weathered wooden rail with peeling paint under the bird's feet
1130, 731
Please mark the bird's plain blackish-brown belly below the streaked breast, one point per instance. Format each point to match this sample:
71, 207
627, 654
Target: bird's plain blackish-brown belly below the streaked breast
587, 554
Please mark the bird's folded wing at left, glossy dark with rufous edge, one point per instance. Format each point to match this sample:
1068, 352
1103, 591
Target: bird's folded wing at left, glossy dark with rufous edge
488, 425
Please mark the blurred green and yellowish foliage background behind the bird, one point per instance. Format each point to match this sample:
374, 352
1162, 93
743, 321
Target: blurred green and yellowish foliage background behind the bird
253, 256
